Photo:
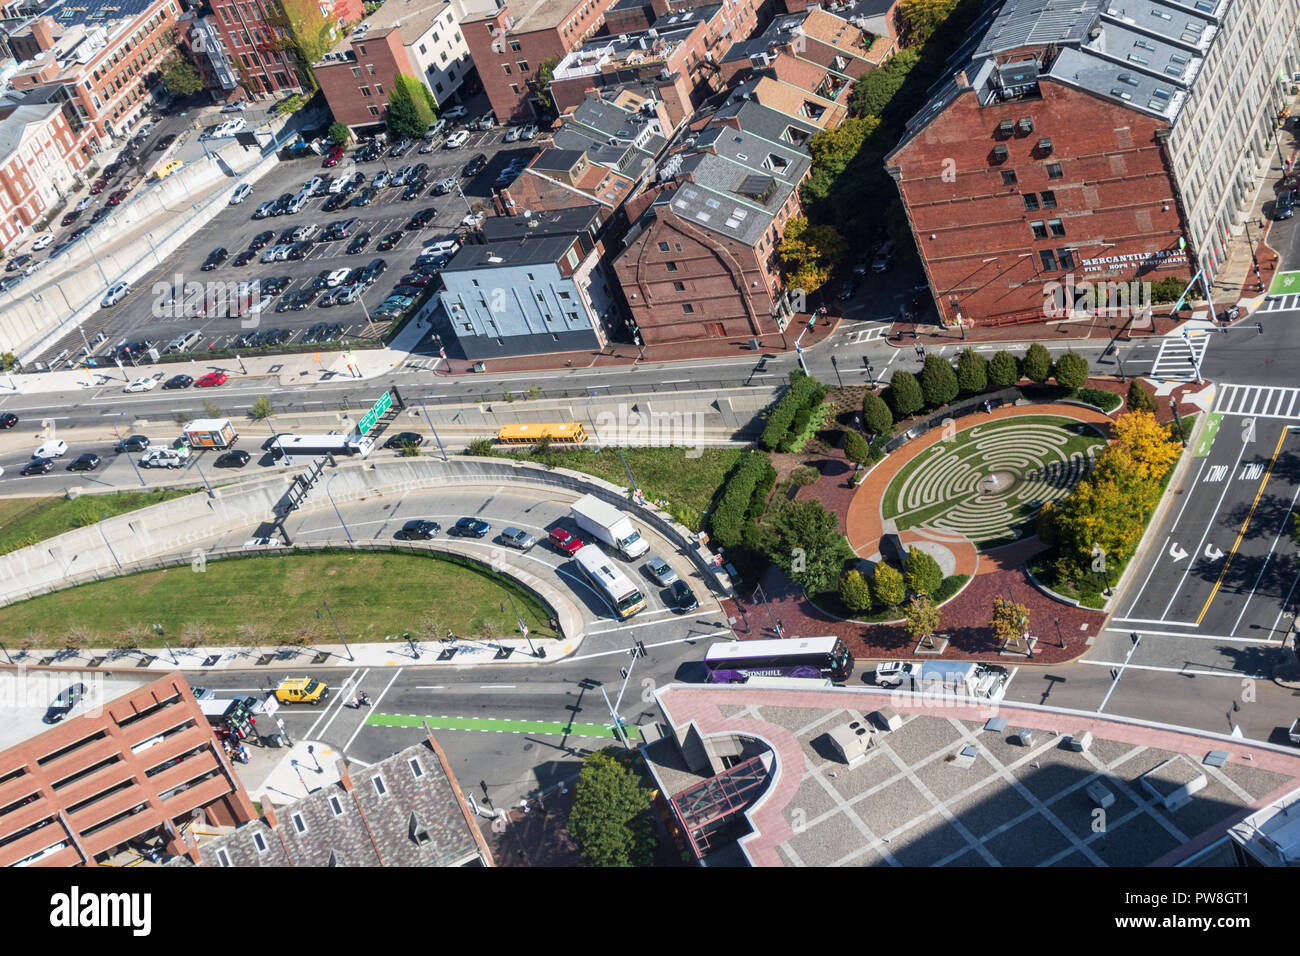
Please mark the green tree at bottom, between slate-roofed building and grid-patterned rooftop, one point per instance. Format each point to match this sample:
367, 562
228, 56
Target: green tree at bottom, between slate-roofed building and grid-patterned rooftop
610, 816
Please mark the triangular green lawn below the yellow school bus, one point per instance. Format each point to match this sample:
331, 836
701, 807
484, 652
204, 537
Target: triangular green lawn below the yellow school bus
688, 485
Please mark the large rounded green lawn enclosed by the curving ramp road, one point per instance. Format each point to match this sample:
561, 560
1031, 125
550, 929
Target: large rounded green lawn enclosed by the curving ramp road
274, 600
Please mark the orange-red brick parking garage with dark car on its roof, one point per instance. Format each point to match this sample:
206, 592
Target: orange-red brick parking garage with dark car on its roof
132, 760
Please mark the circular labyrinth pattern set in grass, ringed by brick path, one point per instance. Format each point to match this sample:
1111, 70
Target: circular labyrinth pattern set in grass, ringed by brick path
987, 483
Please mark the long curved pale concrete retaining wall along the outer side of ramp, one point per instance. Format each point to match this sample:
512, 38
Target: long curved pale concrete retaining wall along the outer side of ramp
181, 525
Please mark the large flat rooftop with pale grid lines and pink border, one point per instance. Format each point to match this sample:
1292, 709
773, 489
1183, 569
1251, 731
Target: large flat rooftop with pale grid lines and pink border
915, 801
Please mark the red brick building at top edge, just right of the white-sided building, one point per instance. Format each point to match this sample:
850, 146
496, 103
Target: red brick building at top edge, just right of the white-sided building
509, 44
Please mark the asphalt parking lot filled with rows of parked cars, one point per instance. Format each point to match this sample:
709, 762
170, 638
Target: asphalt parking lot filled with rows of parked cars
142, 317
